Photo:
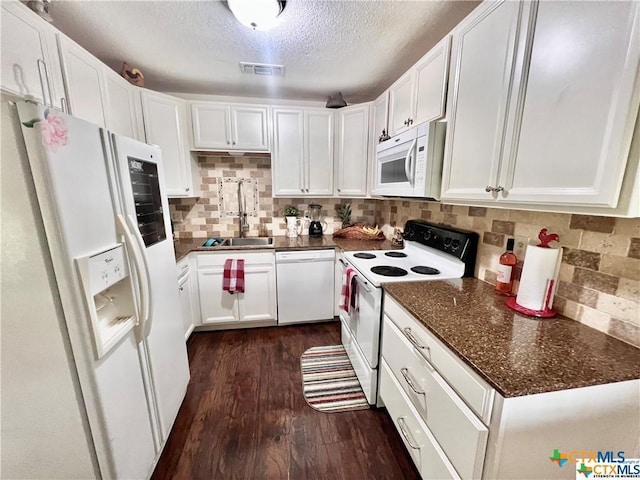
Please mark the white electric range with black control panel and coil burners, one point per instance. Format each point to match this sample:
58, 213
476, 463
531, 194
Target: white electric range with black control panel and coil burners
431, 252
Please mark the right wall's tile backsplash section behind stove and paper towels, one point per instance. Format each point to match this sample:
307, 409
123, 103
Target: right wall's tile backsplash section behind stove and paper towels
599, 281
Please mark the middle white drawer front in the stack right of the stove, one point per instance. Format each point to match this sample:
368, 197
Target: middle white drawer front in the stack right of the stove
458, 431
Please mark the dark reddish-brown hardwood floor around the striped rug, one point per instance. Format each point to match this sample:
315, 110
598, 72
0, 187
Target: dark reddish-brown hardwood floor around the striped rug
244, 416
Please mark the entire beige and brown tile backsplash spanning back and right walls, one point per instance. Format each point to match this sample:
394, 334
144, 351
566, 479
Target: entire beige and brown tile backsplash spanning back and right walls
599, 282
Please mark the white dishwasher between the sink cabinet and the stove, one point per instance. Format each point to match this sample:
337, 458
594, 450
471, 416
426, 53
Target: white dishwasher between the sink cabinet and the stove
305, 285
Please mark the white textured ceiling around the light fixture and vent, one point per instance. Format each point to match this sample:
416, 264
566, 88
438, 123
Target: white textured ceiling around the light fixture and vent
356, 47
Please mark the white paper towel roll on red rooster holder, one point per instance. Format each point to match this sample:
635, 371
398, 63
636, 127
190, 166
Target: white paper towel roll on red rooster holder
540, 266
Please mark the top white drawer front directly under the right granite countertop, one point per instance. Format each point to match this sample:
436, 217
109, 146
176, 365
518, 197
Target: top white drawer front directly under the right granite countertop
477, 393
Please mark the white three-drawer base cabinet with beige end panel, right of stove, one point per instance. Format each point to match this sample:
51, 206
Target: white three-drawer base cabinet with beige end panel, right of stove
455, 425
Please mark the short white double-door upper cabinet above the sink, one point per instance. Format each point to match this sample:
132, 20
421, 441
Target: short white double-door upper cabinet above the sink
222, 126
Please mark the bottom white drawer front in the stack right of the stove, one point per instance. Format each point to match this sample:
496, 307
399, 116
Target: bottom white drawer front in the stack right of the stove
428, 457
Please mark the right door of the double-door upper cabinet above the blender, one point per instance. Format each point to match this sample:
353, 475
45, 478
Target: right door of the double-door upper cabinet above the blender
318, 145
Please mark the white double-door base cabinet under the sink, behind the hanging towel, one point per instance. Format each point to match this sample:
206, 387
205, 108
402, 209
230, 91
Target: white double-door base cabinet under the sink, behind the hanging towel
257, 305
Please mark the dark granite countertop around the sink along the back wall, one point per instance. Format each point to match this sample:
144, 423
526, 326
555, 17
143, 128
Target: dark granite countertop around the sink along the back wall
303, 242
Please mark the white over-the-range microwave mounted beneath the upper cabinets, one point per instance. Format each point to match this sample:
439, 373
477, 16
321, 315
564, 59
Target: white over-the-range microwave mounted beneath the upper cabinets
410, 164
